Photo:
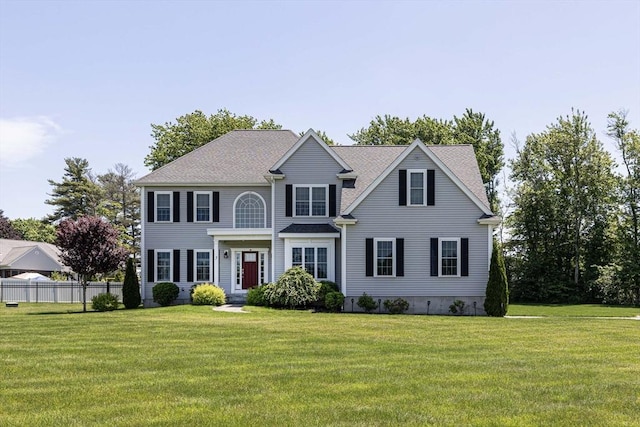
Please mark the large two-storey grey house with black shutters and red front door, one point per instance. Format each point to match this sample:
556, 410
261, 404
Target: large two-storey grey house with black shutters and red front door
392, 221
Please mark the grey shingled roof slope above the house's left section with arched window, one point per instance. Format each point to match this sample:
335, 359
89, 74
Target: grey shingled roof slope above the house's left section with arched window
238, 157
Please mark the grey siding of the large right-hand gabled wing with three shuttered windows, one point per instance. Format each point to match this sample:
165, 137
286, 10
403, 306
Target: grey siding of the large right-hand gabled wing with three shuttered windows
454, 215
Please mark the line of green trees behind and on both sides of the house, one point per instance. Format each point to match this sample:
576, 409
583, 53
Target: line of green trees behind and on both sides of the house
571, 231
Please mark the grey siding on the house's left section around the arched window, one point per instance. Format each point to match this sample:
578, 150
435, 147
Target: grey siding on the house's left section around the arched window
185, 235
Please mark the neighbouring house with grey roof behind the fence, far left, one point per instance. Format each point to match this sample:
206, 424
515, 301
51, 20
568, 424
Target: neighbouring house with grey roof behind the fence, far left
22, 256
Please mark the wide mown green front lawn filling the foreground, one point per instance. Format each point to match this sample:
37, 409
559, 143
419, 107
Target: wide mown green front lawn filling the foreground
190, 365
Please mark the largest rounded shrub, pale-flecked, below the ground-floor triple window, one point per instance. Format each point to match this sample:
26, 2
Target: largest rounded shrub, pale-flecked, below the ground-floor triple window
294, 289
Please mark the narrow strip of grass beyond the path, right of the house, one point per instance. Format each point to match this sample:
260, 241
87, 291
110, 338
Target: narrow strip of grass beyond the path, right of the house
578, 310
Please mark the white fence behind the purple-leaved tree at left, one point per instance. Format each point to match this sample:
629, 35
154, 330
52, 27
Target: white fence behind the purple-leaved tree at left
16, 290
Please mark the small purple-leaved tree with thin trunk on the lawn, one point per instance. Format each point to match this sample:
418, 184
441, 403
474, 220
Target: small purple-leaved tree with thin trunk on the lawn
89, 246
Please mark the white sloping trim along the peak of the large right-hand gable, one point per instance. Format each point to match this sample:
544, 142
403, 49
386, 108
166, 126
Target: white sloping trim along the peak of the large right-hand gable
432, 157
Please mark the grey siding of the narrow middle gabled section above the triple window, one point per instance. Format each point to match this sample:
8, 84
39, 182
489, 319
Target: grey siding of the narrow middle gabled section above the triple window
310, 164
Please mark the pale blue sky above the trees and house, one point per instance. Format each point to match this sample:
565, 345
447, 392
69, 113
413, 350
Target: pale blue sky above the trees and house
87, 78
